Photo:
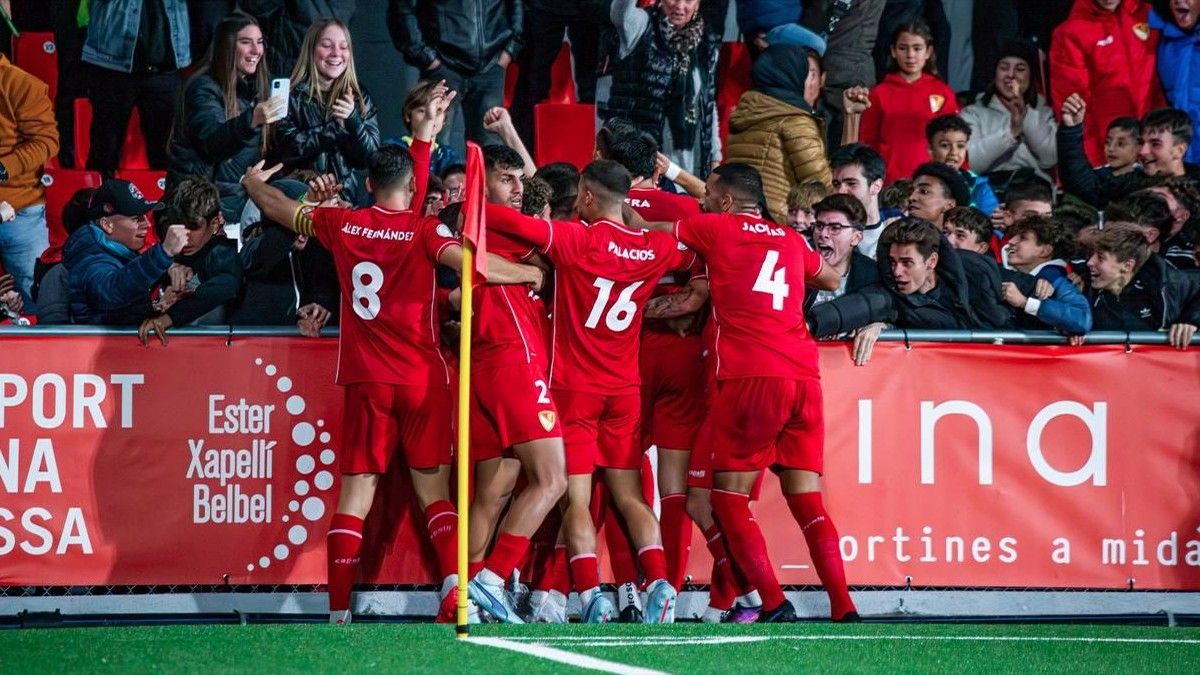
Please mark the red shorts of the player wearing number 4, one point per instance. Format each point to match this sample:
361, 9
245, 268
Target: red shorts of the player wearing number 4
767, 422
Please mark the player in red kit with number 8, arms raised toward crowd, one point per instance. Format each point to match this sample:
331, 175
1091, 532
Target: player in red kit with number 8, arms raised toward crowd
398, 386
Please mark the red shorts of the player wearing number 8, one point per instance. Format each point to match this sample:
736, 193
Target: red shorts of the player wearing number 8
379, 419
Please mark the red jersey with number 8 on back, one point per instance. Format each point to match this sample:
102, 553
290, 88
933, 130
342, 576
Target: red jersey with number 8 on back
386, 266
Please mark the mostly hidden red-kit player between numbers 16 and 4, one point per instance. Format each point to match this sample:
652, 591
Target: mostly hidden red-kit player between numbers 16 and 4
673, 366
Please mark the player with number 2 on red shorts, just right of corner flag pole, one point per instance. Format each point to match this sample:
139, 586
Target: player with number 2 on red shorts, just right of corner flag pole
513, 413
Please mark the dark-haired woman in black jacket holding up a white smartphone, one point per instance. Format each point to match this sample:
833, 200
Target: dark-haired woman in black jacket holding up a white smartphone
224, 112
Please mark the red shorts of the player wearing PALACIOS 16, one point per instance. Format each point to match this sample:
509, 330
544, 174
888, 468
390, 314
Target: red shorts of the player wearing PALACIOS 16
601, 431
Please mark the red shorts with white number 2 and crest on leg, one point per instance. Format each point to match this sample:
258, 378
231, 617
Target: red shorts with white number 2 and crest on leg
511, 404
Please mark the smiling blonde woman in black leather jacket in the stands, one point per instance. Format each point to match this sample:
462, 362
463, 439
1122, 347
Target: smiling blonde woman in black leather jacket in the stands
332, 126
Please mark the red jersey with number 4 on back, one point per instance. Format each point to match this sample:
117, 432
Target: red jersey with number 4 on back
757, 274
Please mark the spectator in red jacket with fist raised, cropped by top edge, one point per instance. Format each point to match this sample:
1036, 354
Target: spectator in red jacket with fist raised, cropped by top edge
1106, 53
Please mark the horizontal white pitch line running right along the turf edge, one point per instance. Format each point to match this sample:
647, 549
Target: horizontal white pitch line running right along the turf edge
601, 641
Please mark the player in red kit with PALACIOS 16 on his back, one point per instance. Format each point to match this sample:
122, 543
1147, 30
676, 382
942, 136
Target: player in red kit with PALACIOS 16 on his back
604, 273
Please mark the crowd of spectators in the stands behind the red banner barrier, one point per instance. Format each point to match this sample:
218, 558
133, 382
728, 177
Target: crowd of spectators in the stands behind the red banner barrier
1036, 175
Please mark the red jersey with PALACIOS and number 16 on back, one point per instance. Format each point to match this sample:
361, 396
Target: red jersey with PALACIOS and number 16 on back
604, 273
